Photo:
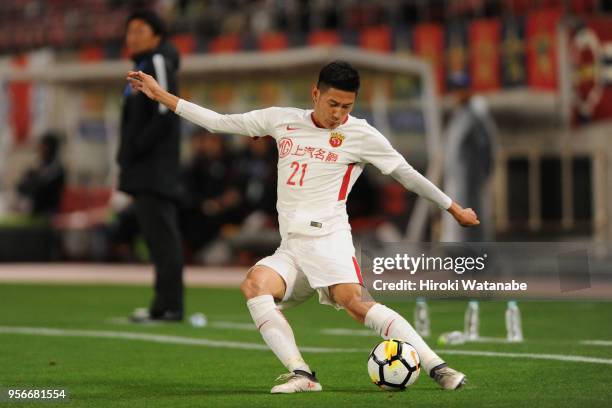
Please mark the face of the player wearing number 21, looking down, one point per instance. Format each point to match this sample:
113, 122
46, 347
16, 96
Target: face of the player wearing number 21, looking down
332, 106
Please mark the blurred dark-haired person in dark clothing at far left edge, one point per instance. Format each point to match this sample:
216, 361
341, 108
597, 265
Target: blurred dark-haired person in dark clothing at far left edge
40, 188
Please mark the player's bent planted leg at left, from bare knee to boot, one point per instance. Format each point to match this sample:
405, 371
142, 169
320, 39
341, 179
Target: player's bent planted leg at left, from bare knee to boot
261, 287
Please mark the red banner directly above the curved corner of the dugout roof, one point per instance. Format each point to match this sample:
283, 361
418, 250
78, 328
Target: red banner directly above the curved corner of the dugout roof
428, 42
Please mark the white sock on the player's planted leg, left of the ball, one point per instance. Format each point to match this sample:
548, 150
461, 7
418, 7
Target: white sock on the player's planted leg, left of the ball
276, 332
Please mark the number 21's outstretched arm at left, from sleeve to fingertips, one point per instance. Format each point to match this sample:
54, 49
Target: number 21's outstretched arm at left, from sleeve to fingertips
253, 123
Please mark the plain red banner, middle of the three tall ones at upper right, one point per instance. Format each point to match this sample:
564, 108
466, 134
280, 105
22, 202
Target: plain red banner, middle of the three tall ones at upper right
484, 55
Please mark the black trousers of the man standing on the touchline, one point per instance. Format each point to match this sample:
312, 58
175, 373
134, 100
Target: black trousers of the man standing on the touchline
158, 220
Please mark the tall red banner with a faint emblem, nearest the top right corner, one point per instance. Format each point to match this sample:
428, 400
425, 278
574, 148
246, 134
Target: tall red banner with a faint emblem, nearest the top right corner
541, 30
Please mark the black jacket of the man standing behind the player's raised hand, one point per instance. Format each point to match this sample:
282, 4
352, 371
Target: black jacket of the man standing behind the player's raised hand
149, 149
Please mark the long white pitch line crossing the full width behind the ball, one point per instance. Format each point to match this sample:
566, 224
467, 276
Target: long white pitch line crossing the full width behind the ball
158, 338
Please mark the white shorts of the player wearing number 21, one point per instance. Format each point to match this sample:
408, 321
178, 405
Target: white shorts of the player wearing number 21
309, 264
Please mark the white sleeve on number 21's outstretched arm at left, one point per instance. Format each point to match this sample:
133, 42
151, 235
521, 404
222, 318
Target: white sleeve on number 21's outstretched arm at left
254, 123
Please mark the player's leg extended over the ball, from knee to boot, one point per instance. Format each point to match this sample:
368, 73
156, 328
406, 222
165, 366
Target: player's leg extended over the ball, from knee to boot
389, 324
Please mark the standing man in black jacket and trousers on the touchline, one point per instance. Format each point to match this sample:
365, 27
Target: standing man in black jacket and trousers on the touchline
149, 162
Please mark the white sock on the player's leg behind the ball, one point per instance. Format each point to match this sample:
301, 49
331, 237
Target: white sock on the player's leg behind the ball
390, 325
